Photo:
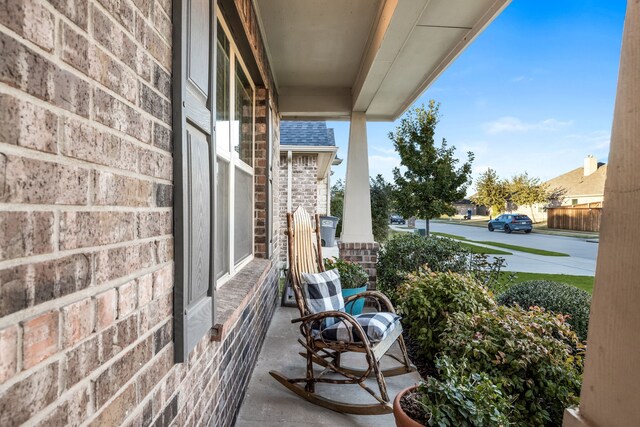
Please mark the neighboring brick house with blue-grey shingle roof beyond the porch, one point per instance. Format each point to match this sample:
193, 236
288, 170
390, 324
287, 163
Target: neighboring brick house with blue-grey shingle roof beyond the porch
307, 152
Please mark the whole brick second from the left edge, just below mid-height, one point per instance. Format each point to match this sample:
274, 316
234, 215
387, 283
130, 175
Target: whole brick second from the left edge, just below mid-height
84, 229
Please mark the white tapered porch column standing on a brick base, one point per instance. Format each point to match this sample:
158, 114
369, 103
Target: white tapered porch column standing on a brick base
356, 215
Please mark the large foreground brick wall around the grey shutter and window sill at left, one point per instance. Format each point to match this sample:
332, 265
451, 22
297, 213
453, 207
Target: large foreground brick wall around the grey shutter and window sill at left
86, 243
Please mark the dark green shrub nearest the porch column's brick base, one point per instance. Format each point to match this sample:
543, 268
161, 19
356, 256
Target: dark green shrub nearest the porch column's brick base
406, 253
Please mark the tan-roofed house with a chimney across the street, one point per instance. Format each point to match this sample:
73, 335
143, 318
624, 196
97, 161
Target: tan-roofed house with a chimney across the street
581, 186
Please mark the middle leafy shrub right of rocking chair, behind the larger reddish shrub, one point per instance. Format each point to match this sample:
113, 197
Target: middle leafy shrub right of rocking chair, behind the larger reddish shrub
427, 299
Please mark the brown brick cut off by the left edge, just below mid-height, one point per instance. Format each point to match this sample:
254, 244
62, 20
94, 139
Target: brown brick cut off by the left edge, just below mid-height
25, 233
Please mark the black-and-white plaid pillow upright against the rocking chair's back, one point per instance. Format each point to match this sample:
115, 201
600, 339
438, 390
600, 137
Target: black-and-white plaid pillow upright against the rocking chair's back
323, 292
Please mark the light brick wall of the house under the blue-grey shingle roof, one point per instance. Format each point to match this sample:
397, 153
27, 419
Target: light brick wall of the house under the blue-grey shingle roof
304, 191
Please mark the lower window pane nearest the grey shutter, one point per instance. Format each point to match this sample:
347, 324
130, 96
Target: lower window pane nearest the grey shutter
222, 219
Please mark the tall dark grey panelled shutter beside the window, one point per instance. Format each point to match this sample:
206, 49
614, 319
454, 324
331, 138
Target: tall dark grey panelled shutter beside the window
194, 163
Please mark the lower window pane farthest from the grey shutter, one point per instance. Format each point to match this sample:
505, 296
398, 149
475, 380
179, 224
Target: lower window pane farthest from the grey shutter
243, 216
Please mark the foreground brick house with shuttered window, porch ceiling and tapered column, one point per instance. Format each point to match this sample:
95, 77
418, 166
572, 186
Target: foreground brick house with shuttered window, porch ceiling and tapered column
139, 185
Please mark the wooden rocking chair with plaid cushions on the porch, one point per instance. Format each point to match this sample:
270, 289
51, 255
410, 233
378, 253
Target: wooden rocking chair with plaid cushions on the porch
328, 333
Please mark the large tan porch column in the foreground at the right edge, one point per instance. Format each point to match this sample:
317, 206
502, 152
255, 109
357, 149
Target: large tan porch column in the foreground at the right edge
611, 388
